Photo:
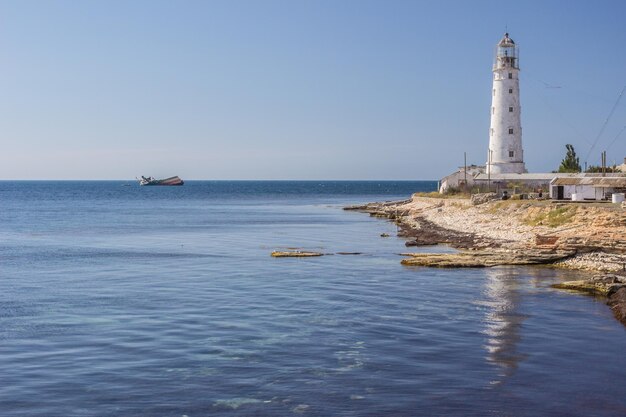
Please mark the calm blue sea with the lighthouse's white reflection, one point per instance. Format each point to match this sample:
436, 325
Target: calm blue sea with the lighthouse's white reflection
164, 301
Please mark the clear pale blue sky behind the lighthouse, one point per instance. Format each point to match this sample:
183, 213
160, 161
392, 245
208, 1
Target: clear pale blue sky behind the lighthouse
298, 89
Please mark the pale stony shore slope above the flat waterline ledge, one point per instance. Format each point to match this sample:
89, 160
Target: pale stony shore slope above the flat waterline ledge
591, 238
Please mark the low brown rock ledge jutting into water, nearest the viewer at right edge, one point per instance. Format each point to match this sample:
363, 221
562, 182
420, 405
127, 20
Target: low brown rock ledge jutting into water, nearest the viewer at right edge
611, 286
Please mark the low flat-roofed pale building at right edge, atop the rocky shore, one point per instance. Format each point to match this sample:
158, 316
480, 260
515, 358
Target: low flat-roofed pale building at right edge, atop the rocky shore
581, 188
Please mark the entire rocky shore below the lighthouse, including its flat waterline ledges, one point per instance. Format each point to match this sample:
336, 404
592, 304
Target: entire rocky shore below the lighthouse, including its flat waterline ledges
489, 232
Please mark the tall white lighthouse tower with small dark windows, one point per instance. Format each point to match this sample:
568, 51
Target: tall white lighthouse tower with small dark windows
505, 134
